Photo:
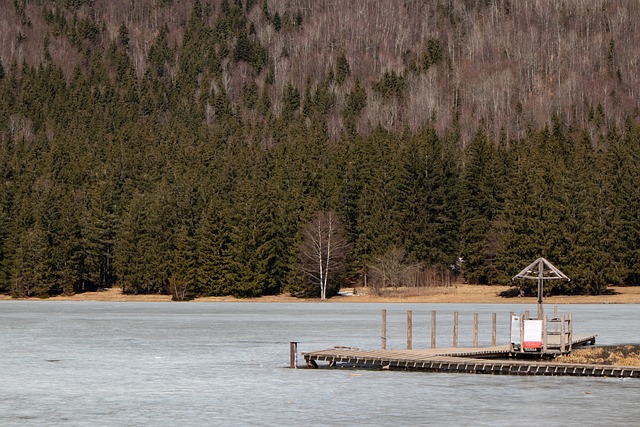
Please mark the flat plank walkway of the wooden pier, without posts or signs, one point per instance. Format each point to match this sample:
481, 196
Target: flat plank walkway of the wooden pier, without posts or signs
488, 360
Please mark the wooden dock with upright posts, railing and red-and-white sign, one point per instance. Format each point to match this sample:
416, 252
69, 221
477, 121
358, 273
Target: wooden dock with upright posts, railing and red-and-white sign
533, 350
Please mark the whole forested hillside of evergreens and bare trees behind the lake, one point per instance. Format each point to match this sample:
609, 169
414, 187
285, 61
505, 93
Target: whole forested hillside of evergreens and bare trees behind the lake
183, 147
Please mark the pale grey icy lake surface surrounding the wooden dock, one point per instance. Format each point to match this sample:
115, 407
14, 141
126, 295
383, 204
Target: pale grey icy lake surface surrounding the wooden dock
183, 364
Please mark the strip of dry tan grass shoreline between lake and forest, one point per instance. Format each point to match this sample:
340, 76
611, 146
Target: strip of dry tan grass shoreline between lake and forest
458, 294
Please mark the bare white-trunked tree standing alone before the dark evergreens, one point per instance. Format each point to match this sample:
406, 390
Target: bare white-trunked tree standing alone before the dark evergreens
323, 250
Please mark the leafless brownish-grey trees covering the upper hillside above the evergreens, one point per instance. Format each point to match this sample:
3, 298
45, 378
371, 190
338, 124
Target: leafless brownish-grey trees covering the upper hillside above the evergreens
505, 64
